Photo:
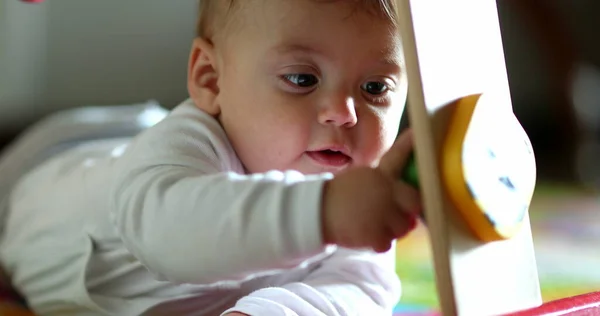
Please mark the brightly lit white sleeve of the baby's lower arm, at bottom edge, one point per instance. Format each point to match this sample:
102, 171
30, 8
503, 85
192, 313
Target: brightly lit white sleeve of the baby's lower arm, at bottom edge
349, 283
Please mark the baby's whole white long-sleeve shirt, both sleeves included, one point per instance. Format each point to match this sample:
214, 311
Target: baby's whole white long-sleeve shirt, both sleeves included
168, 223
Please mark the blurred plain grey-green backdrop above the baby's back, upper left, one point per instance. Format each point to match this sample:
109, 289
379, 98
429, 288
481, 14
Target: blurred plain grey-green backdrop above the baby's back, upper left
63, 54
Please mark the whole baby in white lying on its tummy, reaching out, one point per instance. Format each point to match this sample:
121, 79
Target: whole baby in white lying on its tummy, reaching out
273, 190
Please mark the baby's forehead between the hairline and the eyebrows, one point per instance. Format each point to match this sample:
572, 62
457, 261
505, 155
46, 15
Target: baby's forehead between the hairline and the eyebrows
310, 30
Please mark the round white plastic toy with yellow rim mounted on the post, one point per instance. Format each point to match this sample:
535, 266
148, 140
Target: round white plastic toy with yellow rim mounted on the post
489, 176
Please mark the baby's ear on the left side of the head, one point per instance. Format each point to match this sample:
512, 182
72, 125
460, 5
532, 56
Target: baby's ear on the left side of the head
203, 76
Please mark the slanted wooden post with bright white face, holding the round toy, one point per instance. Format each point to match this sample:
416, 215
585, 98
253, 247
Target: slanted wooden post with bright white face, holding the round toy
453, 49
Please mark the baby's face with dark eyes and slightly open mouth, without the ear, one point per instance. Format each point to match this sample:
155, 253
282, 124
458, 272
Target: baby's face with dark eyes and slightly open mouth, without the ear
310, 86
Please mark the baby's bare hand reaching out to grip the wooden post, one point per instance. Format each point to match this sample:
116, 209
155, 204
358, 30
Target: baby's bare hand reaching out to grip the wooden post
371, 207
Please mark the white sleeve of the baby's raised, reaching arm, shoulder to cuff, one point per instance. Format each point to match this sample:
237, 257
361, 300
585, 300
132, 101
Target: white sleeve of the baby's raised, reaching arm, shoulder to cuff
188, 219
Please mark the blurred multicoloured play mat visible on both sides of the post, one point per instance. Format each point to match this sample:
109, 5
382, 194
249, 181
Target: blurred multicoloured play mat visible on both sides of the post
566, 231
